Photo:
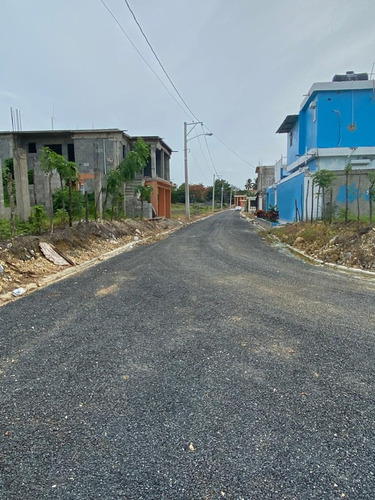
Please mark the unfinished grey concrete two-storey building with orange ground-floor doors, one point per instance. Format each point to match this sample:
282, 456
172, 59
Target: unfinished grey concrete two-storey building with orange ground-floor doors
93, 151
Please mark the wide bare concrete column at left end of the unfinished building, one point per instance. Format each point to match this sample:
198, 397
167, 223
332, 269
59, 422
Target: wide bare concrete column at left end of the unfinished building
22, 183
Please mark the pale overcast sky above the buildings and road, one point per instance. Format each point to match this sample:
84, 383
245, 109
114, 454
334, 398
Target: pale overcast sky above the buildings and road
240, 66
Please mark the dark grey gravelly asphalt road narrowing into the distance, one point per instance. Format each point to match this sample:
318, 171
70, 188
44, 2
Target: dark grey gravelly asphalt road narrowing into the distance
209, 365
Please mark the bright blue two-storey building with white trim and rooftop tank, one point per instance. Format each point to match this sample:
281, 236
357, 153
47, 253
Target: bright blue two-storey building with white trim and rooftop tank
334, 127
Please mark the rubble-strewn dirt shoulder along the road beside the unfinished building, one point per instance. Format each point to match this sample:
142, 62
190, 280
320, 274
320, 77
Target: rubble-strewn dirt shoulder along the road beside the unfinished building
24, 266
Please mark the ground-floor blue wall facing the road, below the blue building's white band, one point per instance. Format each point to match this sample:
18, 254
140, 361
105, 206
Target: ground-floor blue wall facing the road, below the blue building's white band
287, 192
